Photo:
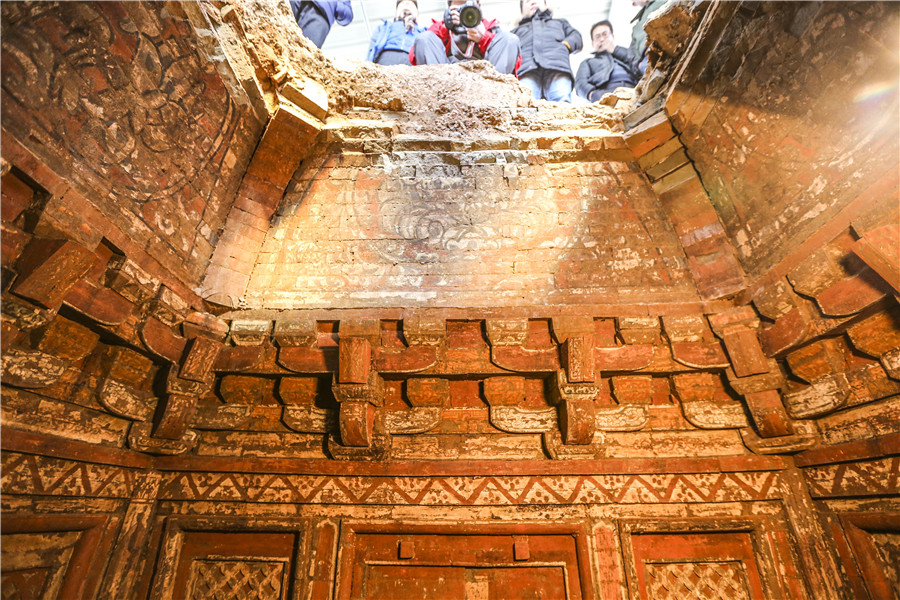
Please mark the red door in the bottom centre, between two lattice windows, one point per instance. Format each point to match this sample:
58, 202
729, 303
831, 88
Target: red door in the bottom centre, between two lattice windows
464, 562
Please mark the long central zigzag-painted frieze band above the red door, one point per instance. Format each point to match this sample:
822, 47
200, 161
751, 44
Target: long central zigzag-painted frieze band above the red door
473, 490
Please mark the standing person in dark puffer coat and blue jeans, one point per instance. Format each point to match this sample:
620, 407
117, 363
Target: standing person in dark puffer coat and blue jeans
546, 45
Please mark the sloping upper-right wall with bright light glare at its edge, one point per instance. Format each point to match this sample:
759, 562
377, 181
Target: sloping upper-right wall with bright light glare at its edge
774, 175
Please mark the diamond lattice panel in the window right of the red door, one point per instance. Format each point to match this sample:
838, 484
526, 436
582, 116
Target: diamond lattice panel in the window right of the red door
697, 581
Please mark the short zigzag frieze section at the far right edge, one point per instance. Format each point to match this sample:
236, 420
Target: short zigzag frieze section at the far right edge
867, 478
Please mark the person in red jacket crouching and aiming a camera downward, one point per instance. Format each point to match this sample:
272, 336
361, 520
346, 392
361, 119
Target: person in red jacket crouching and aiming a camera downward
449, 41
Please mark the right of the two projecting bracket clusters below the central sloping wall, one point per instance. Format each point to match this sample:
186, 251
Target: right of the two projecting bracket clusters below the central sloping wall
584, 349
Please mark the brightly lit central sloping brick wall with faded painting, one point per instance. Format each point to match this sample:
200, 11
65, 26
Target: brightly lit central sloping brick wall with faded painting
442, 222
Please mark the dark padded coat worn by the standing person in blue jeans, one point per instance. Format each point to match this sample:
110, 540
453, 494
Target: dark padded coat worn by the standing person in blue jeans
542, 39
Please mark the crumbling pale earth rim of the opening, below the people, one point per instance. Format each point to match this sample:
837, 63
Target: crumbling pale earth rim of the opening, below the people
463, 100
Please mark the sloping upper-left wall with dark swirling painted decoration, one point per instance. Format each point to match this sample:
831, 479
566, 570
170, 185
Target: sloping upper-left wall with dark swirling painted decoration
118, 99
